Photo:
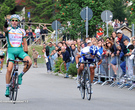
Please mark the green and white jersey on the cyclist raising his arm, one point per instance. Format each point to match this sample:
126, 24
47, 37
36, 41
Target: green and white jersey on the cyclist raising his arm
15, 37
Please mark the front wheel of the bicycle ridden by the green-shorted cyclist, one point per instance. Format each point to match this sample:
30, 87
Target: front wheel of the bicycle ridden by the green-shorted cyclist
15, 89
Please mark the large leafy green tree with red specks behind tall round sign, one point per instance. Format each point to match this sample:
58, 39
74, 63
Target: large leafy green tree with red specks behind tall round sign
69, 10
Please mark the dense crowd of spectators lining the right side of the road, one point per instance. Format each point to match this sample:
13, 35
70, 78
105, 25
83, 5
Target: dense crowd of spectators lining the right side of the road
116, 46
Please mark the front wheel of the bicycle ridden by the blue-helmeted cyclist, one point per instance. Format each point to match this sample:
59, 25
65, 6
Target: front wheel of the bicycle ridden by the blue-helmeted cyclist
88, 87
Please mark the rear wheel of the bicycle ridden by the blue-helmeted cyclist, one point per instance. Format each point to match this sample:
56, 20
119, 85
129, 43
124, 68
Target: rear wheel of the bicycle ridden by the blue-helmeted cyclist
82, 86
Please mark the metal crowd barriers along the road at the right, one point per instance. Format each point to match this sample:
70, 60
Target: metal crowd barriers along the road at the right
121, 81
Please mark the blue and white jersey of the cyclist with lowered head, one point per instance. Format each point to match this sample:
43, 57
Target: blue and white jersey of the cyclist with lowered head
85, 55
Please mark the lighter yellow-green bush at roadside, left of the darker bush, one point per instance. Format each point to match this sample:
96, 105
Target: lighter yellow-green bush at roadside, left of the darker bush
58, 63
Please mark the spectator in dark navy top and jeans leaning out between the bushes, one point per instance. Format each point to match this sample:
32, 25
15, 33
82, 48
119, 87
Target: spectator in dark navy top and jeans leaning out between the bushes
66, 59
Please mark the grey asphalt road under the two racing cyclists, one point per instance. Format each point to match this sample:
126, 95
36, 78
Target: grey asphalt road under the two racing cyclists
50, 92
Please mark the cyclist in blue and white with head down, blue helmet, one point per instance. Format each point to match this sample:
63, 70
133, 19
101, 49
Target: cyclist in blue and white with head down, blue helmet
88, 53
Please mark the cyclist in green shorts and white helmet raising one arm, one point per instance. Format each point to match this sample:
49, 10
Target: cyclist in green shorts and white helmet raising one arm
15, 38
